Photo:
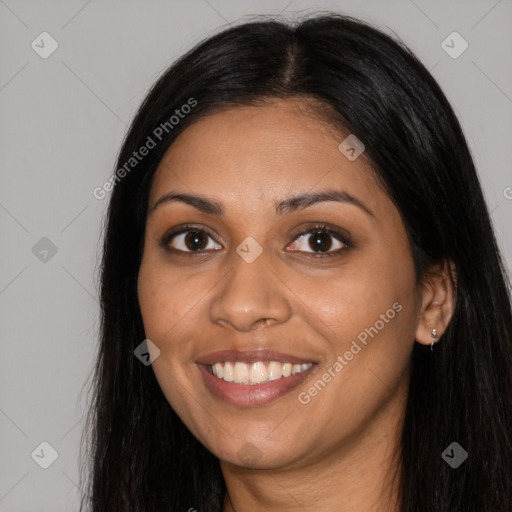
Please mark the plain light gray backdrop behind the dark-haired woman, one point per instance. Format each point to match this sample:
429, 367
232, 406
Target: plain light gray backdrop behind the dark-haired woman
63, 119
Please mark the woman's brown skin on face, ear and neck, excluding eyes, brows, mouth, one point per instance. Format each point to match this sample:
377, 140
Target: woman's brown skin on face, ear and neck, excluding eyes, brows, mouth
338, 452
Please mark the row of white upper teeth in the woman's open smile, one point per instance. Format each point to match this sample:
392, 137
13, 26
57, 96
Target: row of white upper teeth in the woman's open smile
258, 372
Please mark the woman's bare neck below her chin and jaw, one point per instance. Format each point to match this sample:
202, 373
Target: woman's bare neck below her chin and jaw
359, 475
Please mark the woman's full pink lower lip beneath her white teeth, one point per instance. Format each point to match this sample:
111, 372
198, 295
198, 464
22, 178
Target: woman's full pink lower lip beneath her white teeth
252, 395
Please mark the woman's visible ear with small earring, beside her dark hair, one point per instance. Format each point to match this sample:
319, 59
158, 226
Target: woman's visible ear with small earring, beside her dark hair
437, 302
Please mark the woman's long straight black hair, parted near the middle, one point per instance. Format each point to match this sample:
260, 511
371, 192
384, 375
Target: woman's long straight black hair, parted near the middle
140, 455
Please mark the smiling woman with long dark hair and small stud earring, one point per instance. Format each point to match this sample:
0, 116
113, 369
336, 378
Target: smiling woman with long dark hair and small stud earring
298, 243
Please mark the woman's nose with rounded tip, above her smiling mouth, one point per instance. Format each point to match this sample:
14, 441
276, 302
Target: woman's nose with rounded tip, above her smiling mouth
250, 297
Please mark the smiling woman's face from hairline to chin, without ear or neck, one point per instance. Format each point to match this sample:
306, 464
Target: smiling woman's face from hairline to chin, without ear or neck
249, 288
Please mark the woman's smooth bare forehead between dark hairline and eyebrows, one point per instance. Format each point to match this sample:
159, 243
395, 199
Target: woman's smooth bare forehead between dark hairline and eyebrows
263, 152
